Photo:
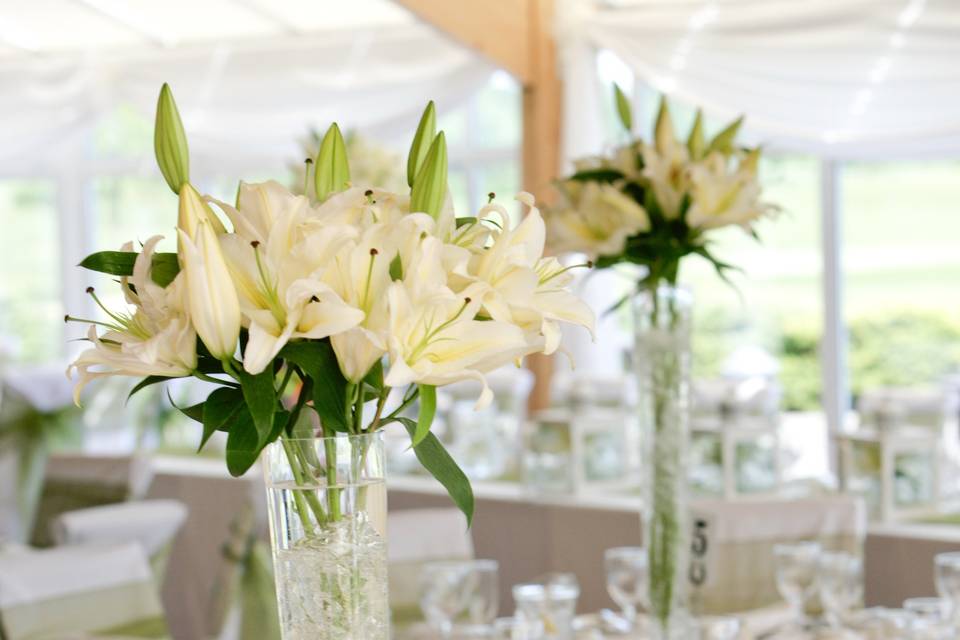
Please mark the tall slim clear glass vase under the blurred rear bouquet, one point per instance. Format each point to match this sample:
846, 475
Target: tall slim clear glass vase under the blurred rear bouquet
662, 340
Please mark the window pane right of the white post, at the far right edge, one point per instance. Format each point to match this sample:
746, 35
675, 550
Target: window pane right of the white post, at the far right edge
901, 264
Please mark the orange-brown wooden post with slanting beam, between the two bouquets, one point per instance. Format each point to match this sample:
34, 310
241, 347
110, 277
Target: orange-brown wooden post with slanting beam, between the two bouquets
516, 35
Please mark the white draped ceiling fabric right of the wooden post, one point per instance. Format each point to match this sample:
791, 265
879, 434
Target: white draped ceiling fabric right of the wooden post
868, 79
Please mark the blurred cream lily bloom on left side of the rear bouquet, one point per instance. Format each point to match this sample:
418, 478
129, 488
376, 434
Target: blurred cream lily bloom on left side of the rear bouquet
596, 219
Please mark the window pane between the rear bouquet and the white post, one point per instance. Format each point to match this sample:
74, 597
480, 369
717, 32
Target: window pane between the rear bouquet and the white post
775, 303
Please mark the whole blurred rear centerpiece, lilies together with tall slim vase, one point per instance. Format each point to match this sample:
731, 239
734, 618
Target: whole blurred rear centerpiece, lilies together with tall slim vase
652, 204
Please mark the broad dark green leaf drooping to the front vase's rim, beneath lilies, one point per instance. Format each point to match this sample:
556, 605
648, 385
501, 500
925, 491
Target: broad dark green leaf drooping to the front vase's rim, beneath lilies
318, 360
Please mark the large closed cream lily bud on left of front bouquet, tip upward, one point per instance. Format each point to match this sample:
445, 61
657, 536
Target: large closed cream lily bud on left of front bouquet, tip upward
214, 307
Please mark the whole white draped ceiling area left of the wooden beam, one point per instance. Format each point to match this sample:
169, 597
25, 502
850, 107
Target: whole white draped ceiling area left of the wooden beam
250, 75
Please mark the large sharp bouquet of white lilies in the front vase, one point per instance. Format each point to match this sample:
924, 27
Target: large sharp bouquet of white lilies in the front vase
289, 303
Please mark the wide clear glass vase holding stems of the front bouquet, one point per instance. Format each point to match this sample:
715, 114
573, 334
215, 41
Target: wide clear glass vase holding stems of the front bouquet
327, 503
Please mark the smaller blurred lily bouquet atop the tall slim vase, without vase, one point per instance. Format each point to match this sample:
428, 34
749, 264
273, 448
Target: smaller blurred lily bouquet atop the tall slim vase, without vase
653, 203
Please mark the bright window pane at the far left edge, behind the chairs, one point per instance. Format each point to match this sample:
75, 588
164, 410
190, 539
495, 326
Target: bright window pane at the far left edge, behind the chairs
31, 314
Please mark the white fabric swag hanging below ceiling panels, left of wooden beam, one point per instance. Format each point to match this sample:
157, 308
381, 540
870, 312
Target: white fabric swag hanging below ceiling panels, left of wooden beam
246, 100
